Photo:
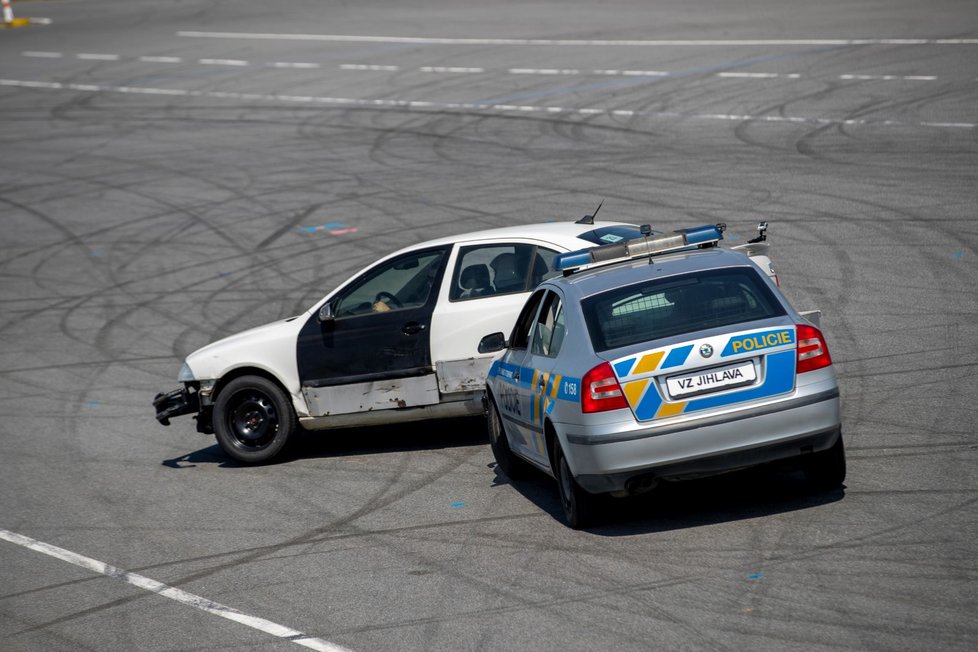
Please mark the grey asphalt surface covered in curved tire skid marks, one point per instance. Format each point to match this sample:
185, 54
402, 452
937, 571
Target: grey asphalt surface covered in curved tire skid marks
169, 178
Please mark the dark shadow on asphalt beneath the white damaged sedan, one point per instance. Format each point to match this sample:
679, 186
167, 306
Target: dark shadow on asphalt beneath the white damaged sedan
414, 436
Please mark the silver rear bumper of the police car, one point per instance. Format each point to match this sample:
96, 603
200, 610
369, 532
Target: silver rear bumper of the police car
633, 461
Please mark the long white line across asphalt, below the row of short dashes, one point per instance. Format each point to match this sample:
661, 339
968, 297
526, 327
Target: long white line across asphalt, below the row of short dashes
468, 106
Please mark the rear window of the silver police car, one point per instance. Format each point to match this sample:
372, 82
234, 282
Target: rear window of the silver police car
662, 308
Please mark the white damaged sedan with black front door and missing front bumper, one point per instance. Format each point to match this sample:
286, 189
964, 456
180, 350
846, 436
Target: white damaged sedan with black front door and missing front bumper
398, 341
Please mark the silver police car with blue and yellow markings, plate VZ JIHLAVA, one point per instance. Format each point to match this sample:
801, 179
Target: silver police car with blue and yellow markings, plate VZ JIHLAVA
660, 359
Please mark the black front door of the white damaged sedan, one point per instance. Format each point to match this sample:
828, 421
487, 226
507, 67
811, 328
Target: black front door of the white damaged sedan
368, 348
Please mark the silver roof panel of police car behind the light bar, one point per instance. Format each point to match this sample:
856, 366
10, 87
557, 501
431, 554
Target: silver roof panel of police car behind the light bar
599, 278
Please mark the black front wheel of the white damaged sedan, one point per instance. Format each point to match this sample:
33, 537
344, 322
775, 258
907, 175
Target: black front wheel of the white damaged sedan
253, 419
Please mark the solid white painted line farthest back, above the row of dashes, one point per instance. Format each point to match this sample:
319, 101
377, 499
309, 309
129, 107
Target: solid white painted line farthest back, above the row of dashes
349, 38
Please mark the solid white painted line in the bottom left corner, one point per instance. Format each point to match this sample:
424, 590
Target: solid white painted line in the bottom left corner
189, 599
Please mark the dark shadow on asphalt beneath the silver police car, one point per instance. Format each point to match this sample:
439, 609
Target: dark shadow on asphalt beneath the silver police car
740, 495
